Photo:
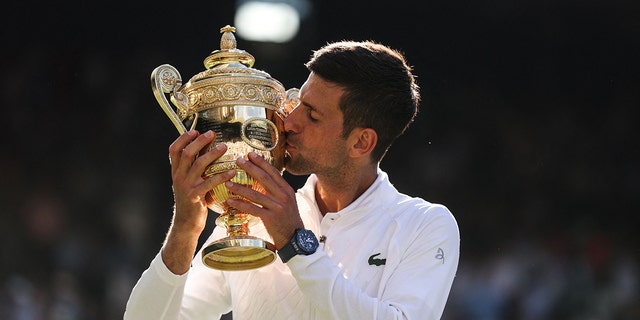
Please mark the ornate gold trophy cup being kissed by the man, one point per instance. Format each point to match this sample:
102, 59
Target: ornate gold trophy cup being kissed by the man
245, 108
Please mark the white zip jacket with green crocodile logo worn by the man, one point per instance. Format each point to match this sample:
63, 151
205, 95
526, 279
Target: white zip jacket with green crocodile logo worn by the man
386, 256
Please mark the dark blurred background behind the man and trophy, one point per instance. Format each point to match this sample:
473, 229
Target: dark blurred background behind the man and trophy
527, 132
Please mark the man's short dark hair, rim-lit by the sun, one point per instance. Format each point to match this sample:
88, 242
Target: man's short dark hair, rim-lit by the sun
380, 90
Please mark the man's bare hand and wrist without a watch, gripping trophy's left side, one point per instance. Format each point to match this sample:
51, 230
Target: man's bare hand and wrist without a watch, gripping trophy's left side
189, 159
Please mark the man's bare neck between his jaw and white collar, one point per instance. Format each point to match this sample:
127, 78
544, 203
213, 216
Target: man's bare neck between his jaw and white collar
336, 192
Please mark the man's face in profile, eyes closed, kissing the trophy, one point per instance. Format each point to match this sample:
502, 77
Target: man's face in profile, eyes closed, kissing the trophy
314, 130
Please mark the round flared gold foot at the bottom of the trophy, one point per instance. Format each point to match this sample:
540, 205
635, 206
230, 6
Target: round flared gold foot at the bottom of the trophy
238, 253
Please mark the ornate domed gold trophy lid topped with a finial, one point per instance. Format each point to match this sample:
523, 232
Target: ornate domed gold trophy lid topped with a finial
228, 81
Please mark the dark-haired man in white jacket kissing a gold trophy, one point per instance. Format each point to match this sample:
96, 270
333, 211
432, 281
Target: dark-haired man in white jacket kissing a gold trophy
382, 255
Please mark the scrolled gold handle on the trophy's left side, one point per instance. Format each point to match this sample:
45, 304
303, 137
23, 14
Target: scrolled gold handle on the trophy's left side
166, 79
